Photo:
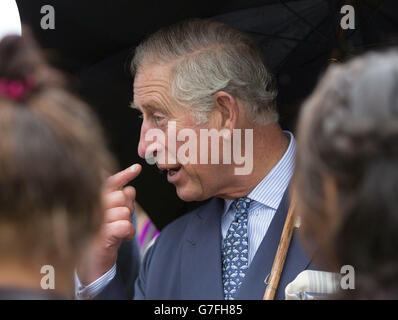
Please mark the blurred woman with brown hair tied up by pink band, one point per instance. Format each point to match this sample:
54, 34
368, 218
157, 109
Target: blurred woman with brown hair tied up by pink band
52, 161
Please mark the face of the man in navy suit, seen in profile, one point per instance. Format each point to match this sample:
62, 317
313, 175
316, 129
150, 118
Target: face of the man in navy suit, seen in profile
193, 182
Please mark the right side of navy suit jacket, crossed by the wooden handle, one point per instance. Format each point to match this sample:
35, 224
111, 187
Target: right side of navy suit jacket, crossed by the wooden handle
253, 286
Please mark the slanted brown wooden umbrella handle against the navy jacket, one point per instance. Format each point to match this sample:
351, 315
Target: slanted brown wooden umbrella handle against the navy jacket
280, 257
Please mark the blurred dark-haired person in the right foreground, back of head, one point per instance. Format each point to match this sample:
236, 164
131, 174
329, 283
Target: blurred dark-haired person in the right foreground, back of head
347, 173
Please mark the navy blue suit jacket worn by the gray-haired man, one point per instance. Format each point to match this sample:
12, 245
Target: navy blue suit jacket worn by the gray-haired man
185, 261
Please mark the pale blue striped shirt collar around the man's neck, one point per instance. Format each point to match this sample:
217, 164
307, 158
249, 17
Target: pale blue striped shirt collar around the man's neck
269, 192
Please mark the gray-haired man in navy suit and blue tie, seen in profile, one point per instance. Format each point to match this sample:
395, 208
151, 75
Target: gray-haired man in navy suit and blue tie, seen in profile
195, 77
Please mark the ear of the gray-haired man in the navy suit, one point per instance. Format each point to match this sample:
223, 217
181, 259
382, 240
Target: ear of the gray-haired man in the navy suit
227, 111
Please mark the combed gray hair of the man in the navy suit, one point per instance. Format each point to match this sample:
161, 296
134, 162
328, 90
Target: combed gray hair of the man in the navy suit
208, 57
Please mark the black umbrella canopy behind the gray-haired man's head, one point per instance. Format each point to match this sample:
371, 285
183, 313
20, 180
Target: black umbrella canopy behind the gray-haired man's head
93, 42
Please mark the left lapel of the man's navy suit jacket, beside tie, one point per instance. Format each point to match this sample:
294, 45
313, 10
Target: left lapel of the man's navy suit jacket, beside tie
201, 254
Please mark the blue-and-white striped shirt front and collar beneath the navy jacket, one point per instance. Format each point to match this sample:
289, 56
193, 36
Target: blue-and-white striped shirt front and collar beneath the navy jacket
266, 197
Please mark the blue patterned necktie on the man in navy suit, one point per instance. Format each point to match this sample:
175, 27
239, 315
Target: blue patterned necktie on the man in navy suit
235, 250
